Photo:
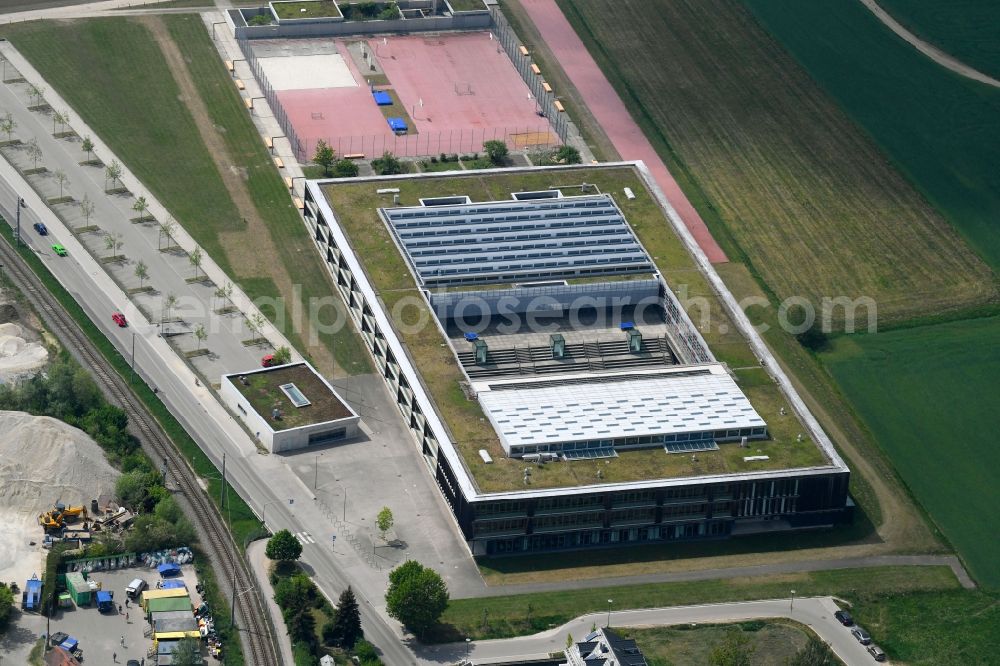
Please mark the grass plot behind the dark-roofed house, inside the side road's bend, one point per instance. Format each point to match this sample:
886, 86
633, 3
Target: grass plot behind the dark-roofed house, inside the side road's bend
772, 642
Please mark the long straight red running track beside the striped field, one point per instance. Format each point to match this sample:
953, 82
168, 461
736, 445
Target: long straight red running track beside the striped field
611, 113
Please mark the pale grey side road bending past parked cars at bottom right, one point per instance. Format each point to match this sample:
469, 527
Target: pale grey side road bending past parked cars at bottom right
816, 613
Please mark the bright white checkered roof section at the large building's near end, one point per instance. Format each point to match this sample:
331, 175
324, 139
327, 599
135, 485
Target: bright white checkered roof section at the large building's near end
657, 402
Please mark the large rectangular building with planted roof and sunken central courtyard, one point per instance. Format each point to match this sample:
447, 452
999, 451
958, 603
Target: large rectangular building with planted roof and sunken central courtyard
555, 384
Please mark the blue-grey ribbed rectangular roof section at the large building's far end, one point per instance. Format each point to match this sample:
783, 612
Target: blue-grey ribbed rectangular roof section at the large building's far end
517, 241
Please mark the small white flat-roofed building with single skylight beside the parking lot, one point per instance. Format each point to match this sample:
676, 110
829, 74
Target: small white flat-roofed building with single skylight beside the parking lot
289, 407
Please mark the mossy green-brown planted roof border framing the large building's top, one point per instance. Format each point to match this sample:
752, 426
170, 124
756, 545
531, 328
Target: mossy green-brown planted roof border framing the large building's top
356, 205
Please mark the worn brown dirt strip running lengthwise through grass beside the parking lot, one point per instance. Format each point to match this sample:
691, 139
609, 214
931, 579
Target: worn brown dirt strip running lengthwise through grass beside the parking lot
250, 251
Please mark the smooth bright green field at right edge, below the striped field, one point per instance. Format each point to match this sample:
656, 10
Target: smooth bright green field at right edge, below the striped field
930, 396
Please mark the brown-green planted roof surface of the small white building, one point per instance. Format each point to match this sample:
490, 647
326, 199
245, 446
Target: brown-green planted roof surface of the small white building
263, 390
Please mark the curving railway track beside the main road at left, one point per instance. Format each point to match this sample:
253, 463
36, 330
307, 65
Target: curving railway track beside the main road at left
259, 648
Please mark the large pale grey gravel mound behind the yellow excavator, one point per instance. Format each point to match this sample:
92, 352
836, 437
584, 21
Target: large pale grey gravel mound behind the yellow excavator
43, 460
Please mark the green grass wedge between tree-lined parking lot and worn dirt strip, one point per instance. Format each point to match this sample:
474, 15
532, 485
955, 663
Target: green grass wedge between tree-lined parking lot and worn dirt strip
112, 73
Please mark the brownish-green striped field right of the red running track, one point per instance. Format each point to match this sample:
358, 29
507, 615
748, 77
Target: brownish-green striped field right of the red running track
796, 189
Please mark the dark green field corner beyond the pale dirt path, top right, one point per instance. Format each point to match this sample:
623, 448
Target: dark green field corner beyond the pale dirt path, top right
965, 29
